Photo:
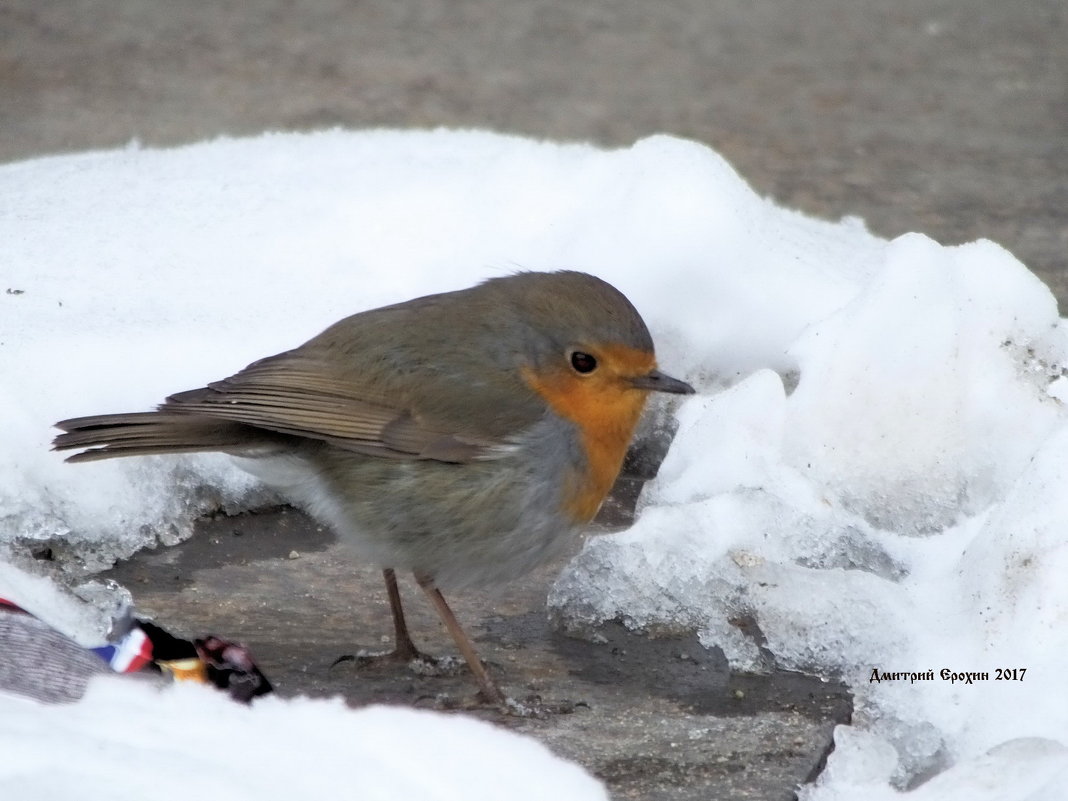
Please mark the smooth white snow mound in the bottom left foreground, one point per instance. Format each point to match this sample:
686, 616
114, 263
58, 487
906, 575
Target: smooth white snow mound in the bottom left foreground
128, 741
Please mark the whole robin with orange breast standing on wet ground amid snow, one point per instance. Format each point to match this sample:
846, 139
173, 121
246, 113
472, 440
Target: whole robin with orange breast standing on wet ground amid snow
465, 437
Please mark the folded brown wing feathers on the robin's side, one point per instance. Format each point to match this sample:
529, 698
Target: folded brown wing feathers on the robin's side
294, 394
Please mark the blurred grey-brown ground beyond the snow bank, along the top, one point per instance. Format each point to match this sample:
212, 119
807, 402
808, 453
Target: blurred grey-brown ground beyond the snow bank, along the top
946, 117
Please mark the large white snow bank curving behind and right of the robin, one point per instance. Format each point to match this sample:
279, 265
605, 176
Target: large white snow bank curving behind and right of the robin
873, 470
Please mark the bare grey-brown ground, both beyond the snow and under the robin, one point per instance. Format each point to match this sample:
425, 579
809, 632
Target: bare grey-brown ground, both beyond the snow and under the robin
946, 117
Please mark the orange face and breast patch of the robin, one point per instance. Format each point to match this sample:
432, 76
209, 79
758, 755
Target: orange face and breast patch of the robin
606, 409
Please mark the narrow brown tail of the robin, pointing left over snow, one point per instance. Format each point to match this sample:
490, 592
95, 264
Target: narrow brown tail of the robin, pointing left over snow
139, 434
